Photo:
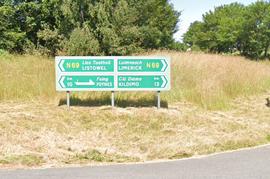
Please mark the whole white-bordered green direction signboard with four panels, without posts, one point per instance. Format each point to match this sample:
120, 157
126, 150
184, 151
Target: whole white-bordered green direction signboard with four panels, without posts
112, 73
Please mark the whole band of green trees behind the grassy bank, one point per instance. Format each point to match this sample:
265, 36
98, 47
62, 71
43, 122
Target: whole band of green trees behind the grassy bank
124, 27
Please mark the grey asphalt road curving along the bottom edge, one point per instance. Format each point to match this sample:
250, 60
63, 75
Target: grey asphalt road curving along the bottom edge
245, 164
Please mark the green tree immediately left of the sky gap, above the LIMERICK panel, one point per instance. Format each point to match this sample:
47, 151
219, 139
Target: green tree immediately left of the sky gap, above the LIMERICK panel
158, 21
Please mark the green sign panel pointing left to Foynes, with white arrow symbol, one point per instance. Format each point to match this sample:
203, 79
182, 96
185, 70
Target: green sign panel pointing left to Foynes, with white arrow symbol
86, 82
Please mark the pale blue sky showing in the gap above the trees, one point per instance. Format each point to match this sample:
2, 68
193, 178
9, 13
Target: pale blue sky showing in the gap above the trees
193, 10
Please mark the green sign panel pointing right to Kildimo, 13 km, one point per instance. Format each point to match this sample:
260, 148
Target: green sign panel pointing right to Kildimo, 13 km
132, 81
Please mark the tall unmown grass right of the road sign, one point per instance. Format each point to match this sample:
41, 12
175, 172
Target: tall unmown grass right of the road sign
212, 81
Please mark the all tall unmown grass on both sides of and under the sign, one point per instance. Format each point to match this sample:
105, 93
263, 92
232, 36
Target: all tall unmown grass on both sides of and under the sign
210, 81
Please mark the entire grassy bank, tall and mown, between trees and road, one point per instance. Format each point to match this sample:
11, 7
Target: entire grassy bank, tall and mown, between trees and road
36, 131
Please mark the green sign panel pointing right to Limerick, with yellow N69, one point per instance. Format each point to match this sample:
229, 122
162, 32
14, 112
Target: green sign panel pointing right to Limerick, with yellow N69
142, 65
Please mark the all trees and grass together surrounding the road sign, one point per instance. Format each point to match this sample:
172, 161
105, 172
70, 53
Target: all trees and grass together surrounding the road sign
217, 102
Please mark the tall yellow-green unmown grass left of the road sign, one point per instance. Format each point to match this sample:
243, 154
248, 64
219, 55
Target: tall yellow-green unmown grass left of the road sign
26, 77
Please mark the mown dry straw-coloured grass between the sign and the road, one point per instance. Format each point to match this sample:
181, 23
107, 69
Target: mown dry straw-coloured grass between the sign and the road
58, 136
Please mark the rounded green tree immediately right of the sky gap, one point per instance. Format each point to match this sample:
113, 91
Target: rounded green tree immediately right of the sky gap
219, 31
